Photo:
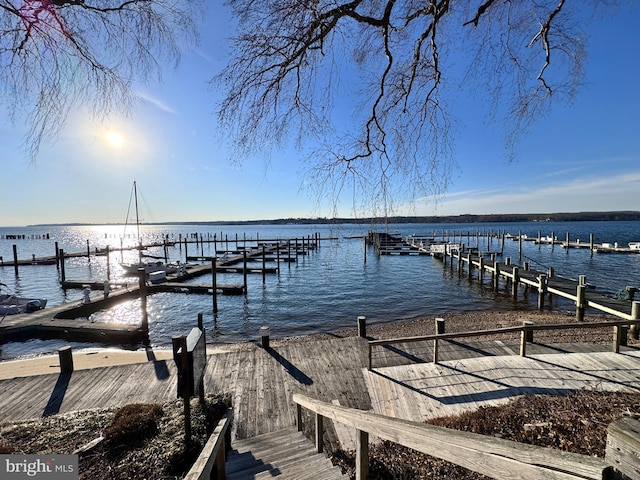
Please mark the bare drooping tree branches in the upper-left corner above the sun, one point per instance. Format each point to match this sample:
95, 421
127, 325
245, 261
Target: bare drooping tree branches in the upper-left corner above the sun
58, 53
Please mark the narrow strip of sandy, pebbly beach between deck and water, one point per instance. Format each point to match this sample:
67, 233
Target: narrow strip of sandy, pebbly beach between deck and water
89, 358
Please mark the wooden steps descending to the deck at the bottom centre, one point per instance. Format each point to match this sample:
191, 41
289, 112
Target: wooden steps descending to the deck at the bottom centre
287, 454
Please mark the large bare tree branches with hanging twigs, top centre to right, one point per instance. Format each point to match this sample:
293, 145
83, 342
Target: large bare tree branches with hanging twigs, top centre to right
291, 71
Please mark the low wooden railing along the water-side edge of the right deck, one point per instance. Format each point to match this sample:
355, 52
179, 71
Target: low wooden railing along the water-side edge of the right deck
620, 329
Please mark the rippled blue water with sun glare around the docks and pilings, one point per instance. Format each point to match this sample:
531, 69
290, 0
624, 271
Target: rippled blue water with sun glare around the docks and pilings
323, 292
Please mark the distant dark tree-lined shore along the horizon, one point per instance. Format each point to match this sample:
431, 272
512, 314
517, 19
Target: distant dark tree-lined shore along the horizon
620, 216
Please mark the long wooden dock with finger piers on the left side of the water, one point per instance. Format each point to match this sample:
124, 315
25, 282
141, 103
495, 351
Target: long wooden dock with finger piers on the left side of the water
69, 321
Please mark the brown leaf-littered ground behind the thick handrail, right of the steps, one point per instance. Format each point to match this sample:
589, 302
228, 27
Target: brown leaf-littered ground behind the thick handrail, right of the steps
574, 423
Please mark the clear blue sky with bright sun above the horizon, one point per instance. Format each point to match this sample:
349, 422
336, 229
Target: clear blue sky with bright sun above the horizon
583, 157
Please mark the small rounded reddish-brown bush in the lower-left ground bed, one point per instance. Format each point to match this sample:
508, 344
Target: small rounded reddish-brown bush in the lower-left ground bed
134, 423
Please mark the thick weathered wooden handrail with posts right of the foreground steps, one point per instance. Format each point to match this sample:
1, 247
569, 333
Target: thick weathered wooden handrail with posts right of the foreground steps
491, 456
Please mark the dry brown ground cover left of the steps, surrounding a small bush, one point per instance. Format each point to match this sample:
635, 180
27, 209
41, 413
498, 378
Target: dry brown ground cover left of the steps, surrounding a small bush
134, 442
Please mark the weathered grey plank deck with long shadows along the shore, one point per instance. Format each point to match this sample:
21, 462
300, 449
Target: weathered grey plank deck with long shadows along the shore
261, 382
